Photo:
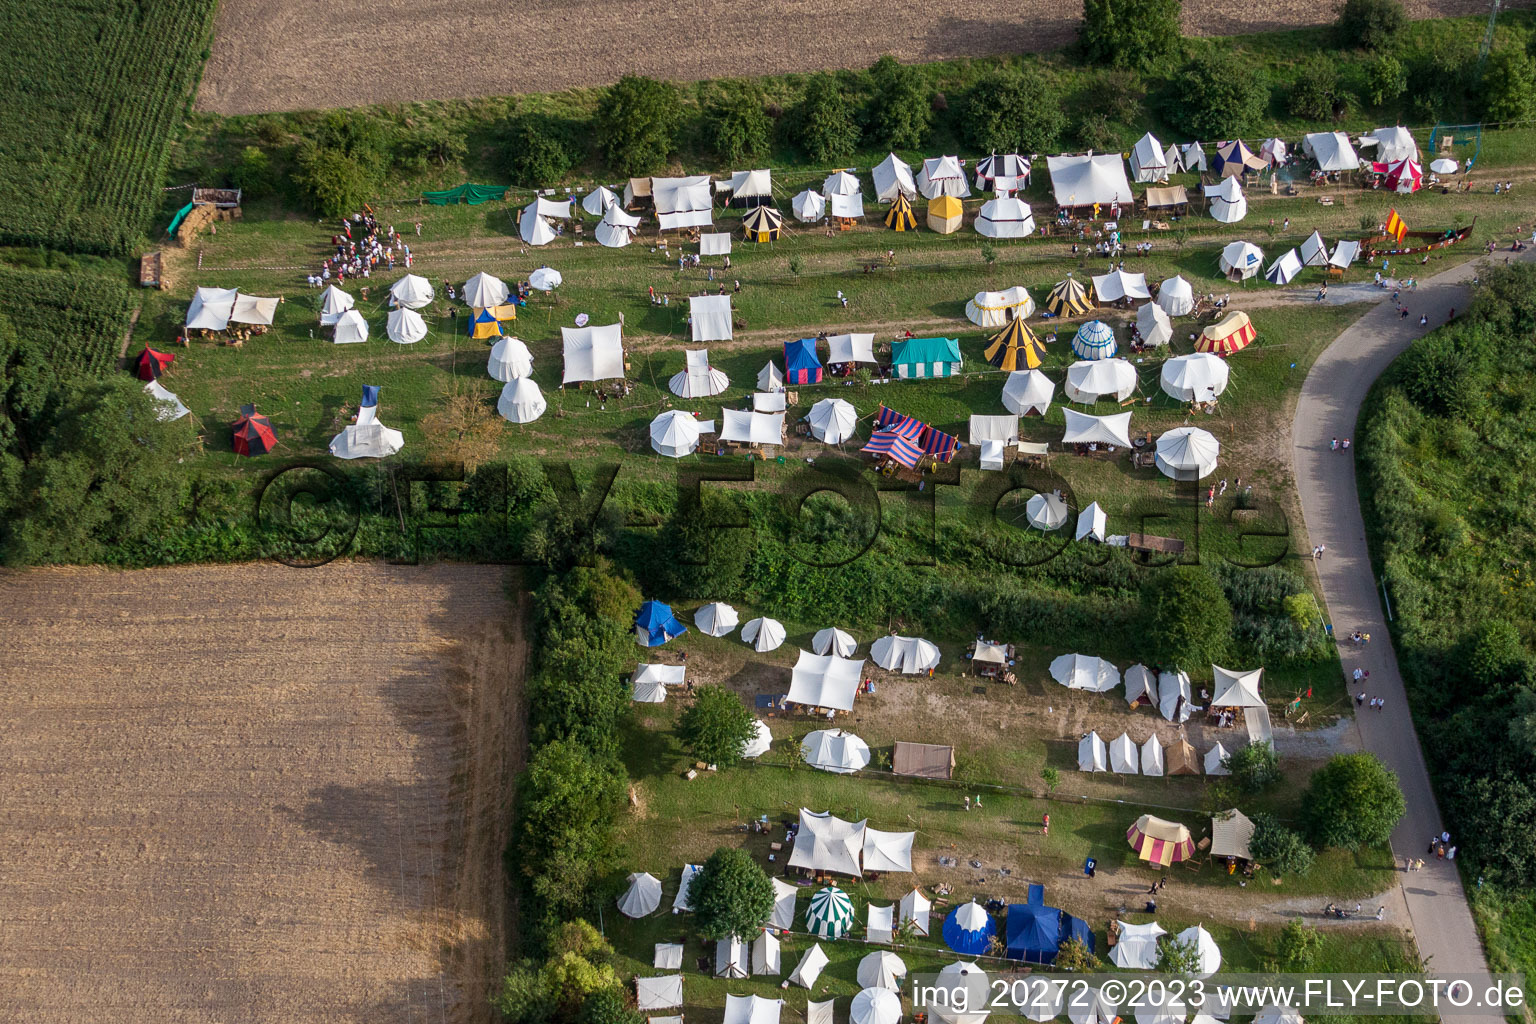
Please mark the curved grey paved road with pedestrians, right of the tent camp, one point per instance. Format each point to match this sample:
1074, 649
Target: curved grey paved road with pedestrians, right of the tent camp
1329, 406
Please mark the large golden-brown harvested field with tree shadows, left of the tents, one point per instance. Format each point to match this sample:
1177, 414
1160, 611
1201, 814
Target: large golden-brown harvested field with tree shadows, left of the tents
256, 794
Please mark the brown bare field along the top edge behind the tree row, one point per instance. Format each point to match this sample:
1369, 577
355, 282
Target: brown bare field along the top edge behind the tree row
291, 56
